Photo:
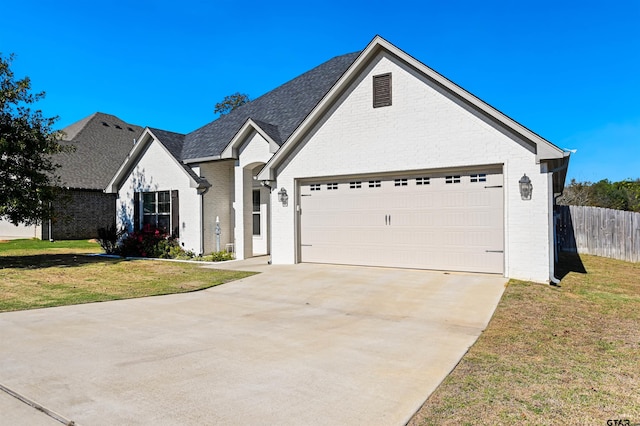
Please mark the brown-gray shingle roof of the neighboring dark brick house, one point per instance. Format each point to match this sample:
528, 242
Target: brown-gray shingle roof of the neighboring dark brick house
101, 142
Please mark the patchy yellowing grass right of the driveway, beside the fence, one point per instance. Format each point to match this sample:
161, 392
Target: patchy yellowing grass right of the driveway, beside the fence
552, 355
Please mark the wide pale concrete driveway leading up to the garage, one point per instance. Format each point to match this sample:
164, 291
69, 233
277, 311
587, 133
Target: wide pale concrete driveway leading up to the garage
302, 344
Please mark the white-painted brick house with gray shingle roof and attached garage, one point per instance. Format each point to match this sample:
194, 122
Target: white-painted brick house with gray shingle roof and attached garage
383, 161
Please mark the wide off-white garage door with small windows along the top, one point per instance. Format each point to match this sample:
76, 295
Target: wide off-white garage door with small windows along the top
446, 221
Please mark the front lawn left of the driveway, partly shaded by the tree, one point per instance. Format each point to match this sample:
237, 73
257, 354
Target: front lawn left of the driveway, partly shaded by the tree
39, 274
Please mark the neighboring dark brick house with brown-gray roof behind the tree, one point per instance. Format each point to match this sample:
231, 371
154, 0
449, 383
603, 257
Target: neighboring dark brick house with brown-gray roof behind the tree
101, 142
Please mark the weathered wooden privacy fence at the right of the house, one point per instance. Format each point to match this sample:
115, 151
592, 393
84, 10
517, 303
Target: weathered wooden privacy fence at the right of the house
598, 231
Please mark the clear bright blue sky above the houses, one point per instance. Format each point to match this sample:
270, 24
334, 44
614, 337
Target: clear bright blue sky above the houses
568, 70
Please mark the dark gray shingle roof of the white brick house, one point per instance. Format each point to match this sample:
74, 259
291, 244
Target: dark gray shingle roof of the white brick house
278, 112
